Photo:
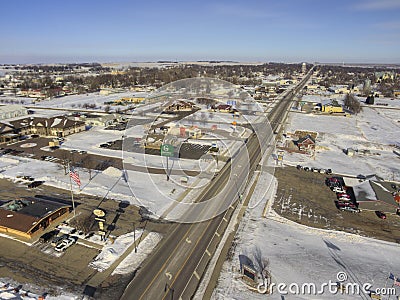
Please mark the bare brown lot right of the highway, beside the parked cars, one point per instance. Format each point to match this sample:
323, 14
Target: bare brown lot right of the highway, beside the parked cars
304, 198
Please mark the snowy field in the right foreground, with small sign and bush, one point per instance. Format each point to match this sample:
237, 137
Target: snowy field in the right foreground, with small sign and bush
300, 254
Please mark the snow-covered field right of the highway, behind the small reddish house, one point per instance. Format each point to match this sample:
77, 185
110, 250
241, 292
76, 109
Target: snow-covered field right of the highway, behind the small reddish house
369, 130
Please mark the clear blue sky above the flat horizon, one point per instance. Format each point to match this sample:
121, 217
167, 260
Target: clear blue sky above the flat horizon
147, 30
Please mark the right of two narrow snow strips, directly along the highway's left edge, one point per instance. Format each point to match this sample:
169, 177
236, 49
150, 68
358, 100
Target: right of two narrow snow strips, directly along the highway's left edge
134, 260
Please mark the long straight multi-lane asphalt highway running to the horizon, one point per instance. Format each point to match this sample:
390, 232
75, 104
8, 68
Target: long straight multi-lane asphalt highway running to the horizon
167, 272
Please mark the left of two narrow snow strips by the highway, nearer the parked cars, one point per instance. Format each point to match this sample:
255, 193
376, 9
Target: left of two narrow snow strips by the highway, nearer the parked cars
111, 253
